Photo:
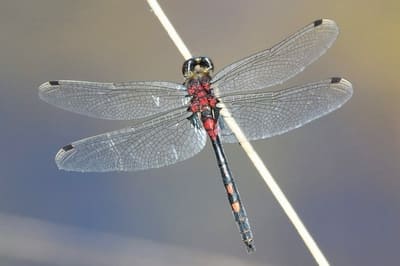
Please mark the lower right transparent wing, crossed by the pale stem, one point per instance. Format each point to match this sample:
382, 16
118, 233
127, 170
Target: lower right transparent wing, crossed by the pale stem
265, 114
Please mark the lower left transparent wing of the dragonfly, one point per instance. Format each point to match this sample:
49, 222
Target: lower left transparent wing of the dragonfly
162, 141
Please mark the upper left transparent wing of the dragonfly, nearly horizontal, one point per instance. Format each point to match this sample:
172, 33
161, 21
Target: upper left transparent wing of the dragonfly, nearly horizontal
117, 101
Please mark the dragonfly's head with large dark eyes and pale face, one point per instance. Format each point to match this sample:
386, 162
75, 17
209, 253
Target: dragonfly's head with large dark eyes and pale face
197, 67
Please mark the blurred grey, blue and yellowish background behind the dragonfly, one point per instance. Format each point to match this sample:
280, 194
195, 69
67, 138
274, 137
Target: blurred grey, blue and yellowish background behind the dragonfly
340, 172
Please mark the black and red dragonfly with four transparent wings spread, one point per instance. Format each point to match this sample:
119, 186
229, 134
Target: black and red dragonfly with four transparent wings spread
172, 121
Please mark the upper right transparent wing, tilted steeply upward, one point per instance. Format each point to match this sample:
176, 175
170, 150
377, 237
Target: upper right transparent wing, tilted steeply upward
281, 62
